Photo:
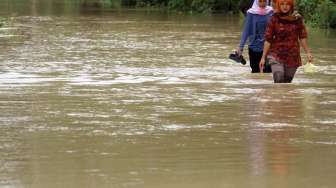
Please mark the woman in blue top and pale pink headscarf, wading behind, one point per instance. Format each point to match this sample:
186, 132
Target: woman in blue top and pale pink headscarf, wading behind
254, 29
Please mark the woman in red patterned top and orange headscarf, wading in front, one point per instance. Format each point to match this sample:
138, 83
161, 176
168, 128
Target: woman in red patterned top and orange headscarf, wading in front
283, 36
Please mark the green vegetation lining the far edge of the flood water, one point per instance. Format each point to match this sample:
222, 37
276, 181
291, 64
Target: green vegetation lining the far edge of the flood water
317, 13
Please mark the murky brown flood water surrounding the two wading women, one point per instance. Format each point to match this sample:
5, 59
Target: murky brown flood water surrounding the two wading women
114, 99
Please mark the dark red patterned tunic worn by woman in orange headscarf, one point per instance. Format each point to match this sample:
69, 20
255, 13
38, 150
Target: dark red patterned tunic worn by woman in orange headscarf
284, 37
